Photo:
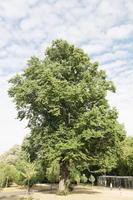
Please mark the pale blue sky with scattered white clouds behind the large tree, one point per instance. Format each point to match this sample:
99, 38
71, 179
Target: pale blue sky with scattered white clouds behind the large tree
103, 28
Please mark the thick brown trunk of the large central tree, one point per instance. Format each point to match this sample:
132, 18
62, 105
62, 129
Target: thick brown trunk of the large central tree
63, 176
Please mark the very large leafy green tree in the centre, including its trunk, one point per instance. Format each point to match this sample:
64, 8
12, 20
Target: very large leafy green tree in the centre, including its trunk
63, 97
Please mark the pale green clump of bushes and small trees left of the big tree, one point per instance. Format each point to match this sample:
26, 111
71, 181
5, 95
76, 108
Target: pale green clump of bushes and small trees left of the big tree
16, 168
